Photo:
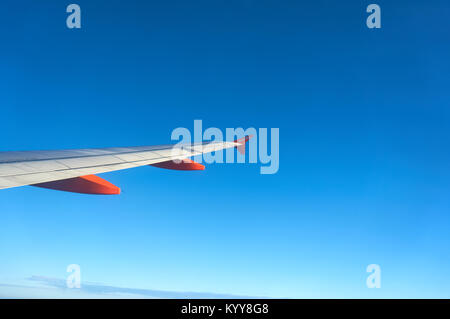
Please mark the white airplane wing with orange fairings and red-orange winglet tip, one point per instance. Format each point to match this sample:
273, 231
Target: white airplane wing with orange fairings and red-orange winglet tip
74, 170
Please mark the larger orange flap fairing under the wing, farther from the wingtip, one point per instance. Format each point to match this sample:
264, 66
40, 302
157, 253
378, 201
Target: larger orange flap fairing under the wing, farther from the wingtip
88, 184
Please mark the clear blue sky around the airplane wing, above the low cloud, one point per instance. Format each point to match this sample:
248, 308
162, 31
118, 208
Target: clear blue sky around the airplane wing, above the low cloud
364, 160
